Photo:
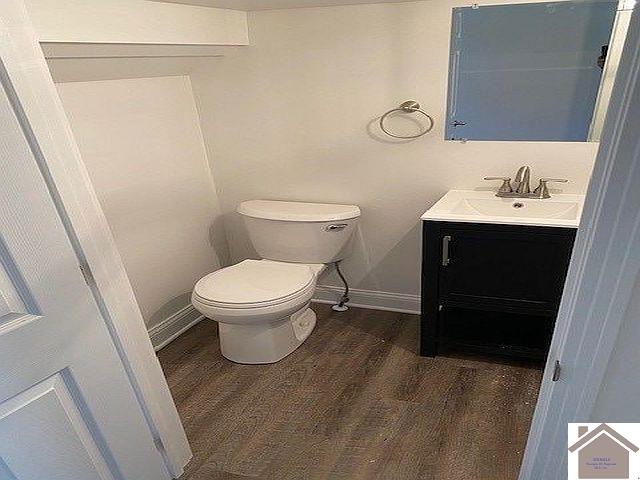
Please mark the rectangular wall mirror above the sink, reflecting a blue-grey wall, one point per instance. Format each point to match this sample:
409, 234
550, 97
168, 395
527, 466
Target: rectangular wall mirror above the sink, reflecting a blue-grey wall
534, 71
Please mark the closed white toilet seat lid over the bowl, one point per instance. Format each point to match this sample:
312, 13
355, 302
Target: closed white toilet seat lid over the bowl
254, 282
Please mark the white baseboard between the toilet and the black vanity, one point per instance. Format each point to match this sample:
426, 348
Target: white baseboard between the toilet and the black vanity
395, 302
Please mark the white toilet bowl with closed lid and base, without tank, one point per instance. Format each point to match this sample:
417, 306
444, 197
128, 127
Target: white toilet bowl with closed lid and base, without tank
262, 308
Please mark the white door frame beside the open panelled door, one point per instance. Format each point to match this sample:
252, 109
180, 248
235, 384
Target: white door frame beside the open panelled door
25, 76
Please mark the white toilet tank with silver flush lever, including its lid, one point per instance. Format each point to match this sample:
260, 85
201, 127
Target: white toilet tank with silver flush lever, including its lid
300, 232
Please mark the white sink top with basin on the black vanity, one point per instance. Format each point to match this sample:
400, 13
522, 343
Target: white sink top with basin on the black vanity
562, 210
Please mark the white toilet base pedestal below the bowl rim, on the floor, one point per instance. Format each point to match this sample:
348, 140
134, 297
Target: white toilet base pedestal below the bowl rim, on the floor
268, 342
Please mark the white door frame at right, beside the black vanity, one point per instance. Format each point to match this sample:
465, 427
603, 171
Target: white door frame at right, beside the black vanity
599, 287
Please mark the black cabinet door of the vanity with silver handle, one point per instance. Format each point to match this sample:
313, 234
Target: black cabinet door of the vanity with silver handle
518, 270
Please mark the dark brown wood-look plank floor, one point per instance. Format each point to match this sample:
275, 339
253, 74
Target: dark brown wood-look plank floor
353, 402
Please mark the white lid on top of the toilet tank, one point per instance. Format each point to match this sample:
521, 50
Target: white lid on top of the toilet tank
297, 211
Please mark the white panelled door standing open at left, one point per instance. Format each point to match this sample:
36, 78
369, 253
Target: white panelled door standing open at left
67, 408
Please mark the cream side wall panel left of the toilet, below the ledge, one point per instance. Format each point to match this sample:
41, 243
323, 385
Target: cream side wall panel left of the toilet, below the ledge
142, 144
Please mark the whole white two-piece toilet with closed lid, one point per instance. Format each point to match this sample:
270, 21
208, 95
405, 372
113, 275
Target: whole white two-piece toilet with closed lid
262, 306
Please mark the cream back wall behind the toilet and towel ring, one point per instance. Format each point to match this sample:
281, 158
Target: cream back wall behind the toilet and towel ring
295, 117
